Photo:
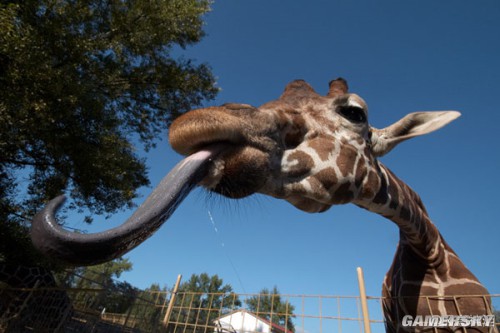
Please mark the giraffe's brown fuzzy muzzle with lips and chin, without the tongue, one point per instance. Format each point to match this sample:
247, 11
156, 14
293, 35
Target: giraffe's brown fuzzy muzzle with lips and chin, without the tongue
239, 170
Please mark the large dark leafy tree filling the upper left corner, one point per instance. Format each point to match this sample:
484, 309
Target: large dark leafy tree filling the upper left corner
82, 82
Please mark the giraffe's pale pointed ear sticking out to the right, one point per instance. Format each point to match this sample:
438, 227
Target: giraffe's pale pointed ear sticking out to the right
413, 124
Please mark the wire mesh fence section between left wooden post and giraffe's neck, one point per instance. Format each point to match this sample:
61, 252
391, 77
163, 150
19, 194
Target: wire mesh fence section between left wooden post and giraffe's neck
302, 313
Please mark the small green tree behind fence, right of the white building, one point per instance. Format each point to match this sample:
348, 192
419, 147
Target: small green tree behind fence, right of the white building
269, 305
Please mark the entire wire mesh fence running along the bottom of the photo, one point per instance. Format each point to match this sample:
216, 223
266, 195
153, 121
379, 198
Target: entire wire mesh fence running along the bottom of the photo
83, 310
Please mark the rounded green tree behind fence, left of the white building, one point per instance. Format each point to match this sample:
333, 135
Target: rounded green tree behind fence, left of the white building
200, 301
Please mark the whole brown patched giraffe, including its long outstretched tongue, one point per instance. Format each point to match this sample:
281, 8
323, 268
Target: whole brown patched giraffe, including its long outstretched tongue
315, 152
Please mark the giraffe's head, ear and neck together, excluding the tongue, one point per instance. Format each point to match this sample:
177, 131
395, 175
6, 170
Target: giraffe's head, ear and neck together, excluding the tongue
317, 151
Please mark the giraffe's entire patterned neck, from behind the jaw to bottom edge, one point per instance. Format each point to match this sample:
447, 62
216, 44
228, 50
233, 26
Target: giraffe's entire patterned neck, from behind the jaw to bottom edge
440, 272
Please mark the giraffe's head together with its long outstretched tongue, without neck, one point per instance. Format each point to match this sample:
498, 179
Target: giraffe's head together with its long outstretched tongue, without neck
313, 151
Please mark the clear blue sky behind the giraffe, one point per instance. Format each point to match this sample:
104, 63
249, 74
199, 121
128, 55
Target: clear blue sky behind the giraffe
401, 57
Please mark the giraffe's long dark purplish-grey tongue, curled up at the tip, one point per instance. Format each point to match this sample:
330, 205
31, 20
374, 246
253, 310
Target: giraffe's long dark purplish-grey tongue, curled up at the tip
90, 249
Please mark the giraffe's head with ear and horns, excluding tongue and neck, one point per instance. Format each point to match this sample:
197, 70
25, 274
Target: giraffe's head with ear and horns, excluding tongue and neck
313, 151
